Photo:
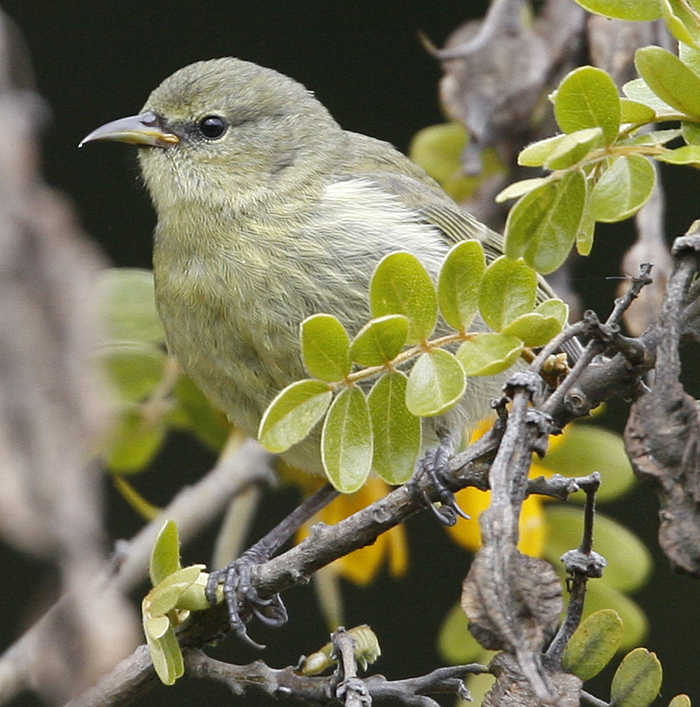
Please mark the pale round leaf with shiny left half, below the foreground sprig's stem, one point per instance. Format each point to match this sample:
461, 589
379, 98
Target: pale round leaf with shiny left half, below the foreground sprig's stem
436, 384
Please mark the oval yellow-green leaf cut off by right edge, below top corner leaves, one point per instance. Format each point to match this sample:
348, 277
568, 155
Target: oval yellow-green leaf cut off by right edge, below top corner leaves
670, 79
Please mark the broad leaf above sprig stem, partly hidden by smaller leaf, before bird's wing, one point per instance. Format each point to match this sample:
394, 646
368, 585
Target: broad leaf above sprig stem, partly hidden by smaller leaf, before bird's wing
401, 285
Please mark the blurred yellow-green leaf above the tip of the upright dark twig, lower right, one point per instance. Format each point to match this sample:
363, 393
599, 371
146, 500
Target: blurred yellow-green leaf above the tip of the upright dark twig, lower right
586, 448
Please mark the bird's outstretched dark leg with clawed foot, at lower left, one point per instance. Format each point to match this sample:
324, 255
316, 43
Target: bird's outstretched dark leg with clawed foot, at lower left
239, 591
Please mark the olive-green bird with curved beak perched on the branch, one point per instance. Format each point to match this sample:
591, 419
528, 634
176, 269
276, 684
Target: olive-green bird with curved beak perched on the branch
268, 212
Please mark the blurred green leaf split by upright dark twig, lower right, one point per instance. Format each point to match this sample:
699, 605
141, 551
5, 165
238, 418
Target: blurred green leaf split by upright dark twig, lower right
629, 562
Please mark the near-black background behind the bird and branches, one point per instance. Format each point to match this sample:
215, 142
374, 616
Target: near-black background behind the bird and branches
96, 61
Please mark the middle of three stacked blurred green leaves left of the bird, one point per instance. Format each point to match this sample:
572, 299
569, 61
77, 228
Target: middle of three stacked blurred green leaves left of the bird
135, 369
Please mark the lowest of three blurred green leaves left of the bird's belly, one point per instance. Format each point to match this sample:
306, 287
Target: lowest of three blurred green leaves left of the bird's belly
133, 442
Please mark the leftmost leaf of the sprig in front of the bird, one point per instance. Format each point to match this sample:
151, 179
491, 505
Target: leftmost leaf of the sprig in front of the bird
293, 414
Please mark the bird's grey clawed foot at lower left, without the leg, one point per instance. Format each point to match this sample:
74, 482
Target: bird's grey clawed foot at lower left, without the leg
242, 597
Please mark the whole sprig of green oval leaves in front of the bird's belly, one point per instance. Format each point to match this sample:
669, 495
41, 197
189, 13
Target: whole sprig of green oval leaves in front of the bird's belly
381, 429
